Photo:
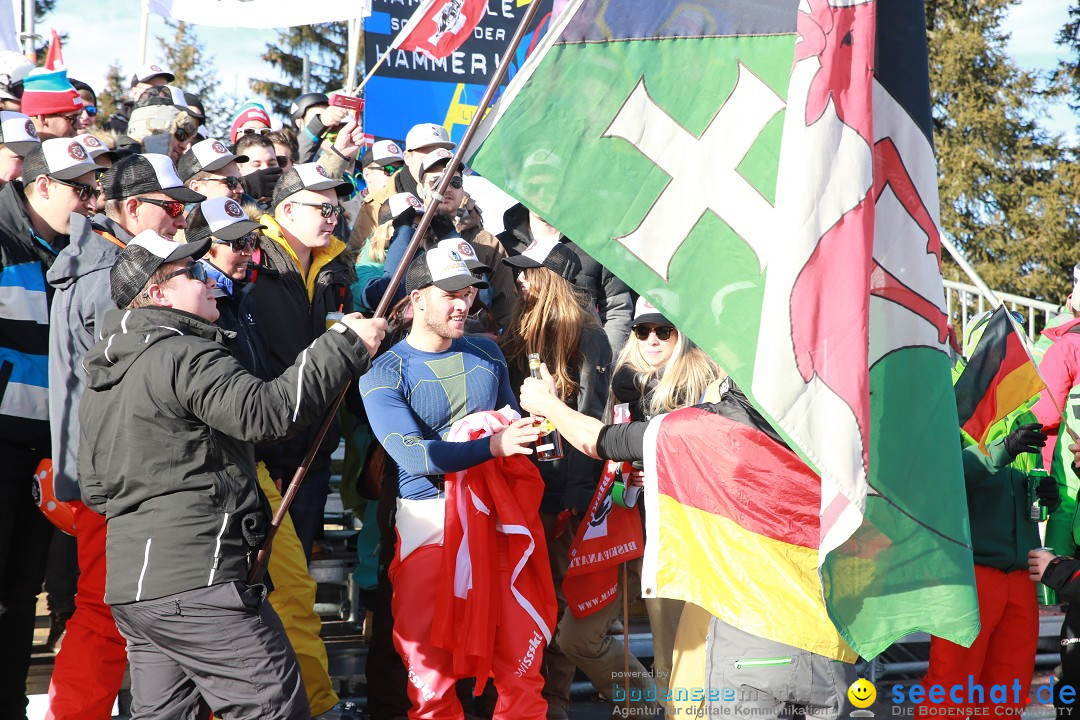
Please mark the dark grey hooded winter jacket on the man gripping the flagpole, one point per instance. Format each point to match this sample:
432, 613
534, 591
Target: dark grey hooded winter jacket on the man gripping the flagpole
166, 451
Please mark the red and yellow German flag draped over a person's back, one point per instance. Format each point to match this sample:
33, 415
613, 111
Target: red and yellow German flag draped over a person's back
733, 525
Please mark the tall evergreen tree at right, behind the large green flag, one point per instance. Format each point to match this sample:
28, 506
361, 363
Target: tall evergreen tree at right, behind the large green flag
1008, 188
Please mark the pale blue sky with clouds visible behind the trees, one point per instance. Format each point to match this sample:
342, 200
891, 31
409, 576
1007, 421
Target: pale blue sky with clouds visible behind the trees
102, 33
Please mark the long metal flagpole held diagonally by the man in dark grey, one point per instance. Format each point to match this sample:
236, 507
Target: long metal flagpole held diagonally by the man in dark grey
396, 280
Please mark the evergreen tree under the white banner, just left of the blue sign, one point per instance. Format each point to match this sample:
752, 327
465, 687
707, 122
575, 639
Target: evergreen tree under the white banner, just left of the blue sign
327, 48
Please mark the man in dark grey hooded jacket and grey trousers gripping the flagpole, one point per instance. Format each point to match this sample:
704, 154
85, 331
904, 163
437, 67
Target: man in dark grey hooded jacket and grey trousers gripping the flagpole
168, 425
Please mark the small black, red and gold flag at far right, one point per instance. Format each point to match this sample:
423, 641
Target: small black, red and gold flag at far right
1001, 376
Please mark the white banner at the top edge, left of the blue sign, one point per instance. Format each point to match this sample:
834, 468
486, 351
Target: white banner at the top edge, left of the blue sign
256, 13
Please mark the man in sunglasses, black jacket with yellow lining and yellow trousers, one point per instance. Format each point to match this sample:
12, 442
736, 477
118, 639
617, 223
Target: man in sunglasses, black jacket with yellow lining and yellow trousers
302, 279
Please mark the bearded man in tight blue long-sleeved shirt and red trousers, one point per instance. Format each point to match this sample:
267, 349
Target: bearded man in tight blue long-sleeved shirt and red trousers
414, 395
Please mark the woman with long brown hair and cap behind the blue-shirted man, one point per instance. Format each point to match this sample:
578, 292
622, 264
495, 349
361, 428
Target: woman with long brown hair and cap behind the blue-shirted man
557, 321
